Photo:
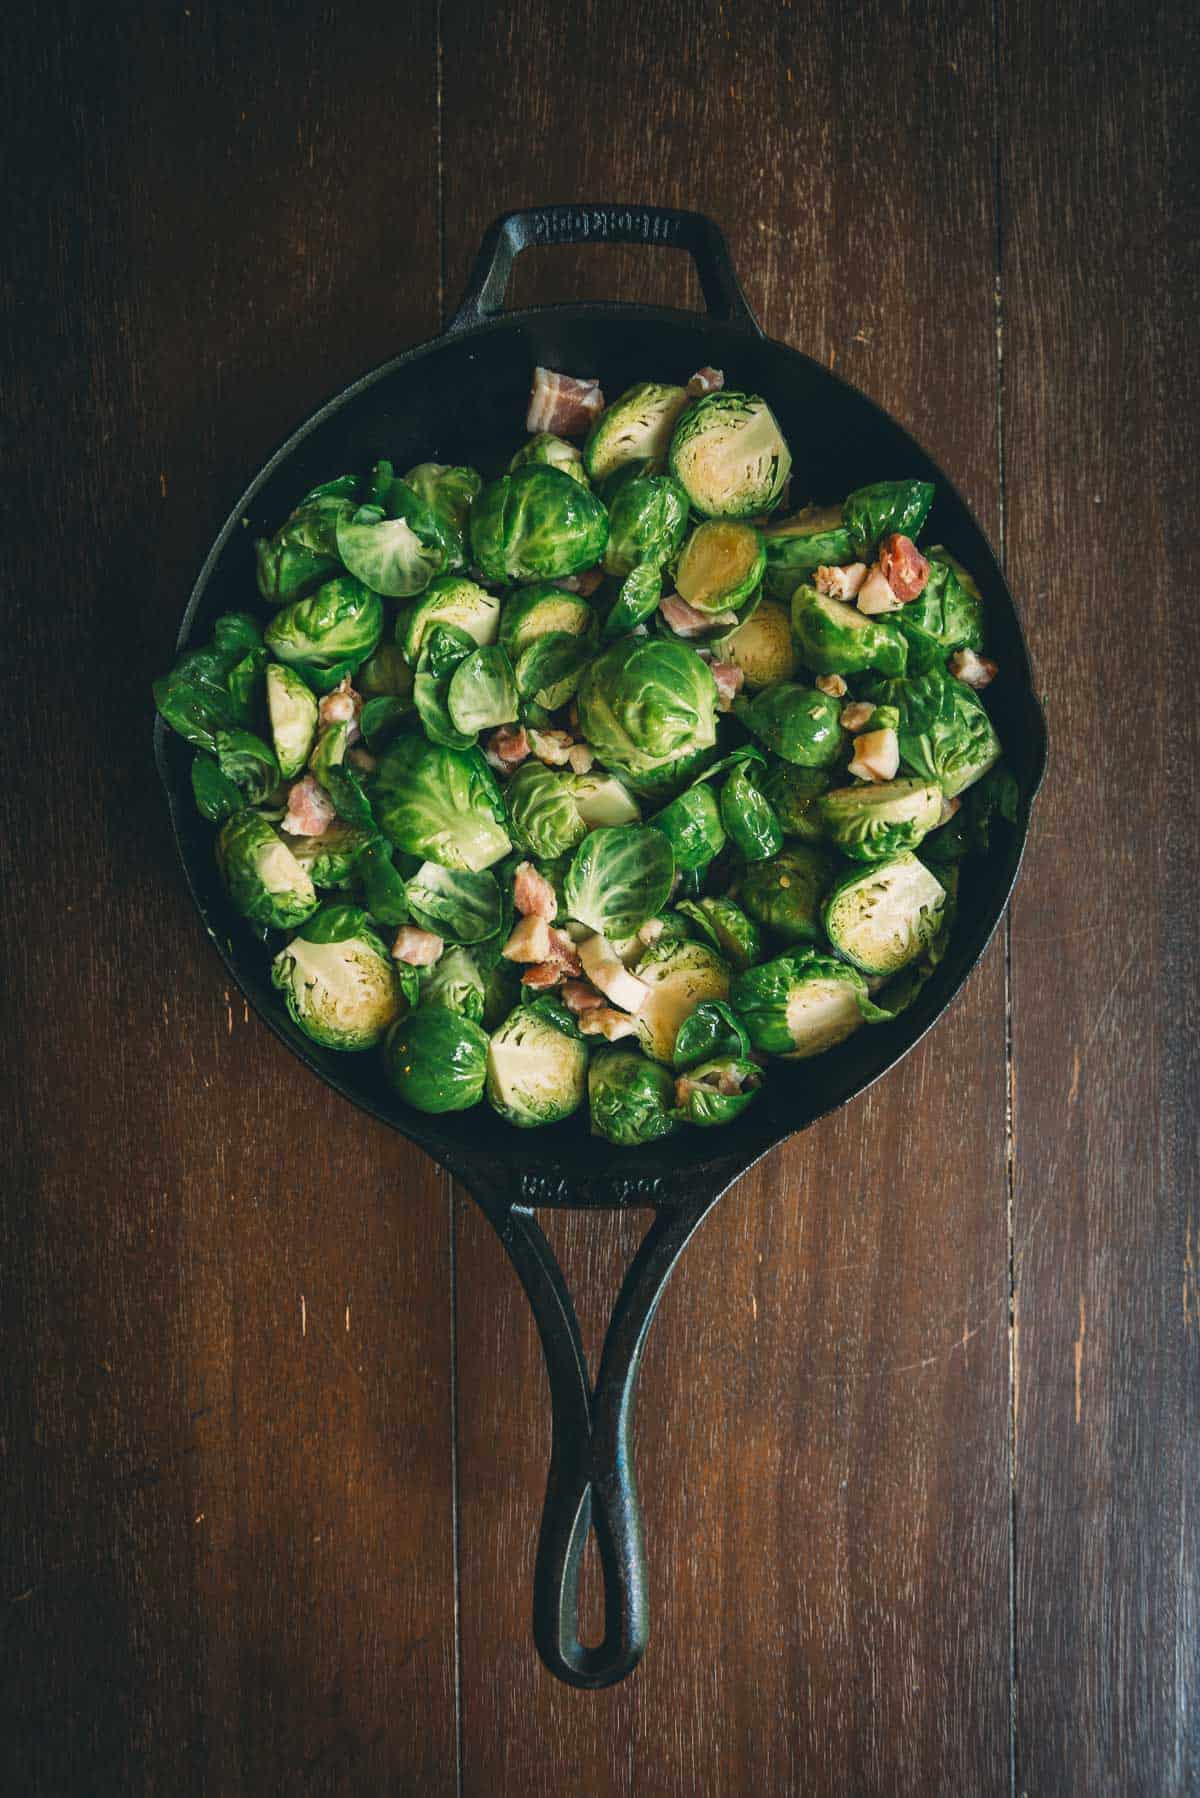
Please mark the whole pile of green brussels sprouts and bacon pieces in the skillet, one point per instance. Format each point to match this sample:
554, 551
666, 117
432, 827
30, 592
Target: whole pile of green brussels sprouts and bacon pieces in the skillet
607, 779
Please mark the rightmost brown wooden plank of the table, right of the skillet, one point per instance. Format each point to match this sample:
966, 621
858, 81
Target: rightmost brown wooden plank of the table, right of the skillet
1100, 405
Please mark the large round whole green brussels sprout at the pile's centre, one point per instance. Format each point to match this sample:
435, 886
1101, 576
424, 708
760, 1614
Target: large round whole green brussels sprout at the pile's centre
647, 702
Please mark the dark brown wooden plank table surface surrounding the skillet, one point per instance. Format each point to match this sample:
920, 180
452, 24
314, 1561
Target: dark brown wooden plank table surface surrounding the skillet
274, 1423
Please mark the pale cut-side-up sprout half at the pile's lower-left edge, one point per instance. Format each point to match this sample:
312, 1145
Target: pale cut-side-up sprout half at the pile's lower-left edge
339, 981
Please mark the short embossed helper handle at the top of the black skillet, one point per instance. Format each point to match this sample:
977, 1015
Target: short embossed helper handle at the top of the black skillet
514, 233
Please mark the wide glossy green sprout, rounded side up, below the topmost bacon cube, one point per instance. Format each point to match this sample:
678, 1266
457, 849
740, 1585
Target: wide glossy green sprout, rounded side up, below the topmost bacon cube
537, 526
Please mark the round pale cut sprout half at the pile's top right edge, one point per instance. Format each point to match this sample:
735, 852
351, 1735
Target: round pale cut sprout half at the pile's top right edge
730, 456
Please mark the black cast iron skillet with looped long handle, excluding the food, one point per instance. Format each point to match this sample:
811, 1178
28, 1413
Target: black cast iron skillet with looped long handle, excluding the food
463, 400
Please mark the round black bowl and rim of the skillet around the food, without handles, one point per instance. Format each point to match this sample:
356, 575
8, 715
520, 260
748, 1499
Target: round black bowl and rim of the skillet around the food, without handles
463, 400
